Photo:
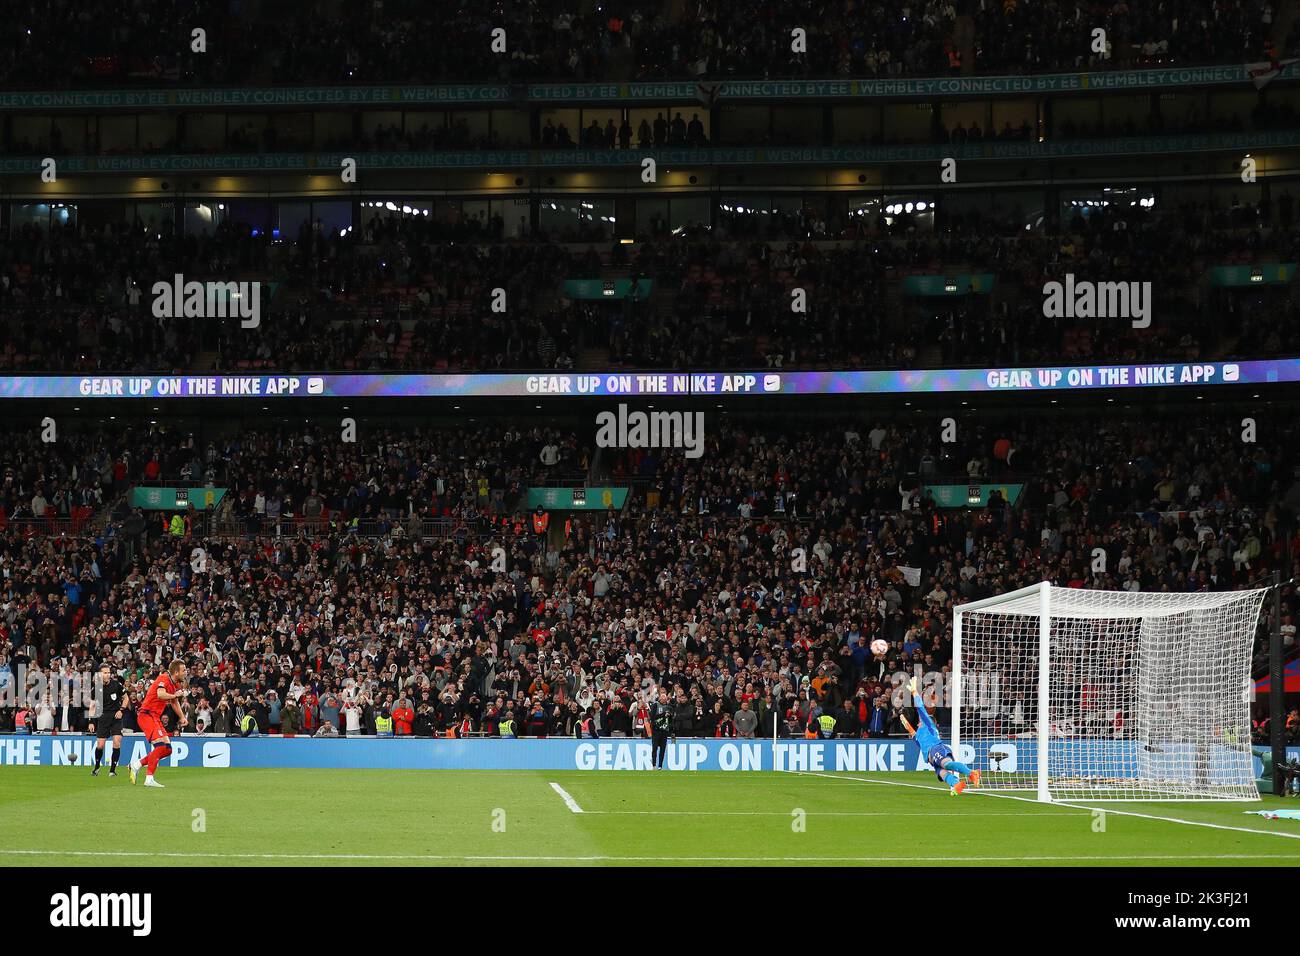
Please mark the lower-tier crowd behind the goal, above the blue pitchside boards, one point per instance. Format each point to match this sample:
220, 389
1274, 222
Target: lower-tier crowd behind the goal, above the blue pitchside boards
313, 625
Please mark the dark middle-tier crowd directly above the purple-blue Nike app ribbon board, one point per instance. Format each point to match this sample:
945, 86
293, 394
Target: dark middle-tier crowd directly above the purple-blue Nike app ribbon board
409, 293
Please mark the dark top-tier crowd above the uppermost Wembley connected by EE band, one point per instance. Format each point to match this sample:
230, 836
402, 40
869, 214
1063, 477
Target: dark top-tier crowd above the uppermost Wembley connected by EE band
63, 44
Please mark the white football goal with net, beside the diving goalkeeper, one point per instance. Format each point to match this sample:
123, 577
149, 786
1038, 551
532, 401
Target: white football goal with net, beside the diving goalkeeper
1107, 695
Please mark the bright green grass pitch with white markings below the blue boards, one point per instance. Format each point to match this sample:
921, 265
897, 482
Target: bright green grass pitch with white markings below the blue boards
62, 816
